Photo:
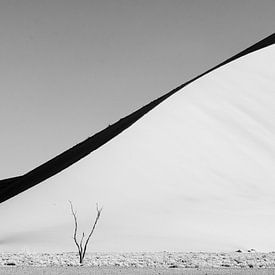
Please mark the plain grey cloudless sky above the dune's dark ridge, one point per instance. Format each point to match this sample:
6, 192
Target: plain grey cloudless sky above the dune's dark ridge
70, 68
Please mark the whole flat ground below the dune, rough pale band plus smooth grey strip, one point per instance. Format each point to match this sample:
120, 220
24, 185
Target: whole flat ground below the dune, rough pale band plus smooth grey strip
202, 263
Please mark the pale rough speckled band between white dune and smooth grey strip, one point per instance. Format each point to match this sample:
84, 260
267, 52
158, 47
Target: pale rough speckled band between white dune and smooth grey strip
164, 259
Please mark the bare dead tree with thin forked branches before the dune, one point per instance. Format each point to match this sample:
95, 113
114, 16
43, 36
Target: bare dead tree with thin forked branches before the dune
79, 245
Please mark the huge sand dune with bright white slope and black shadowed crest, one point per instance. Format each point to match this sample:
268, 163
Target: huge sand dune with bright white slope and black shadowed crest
196, 173
